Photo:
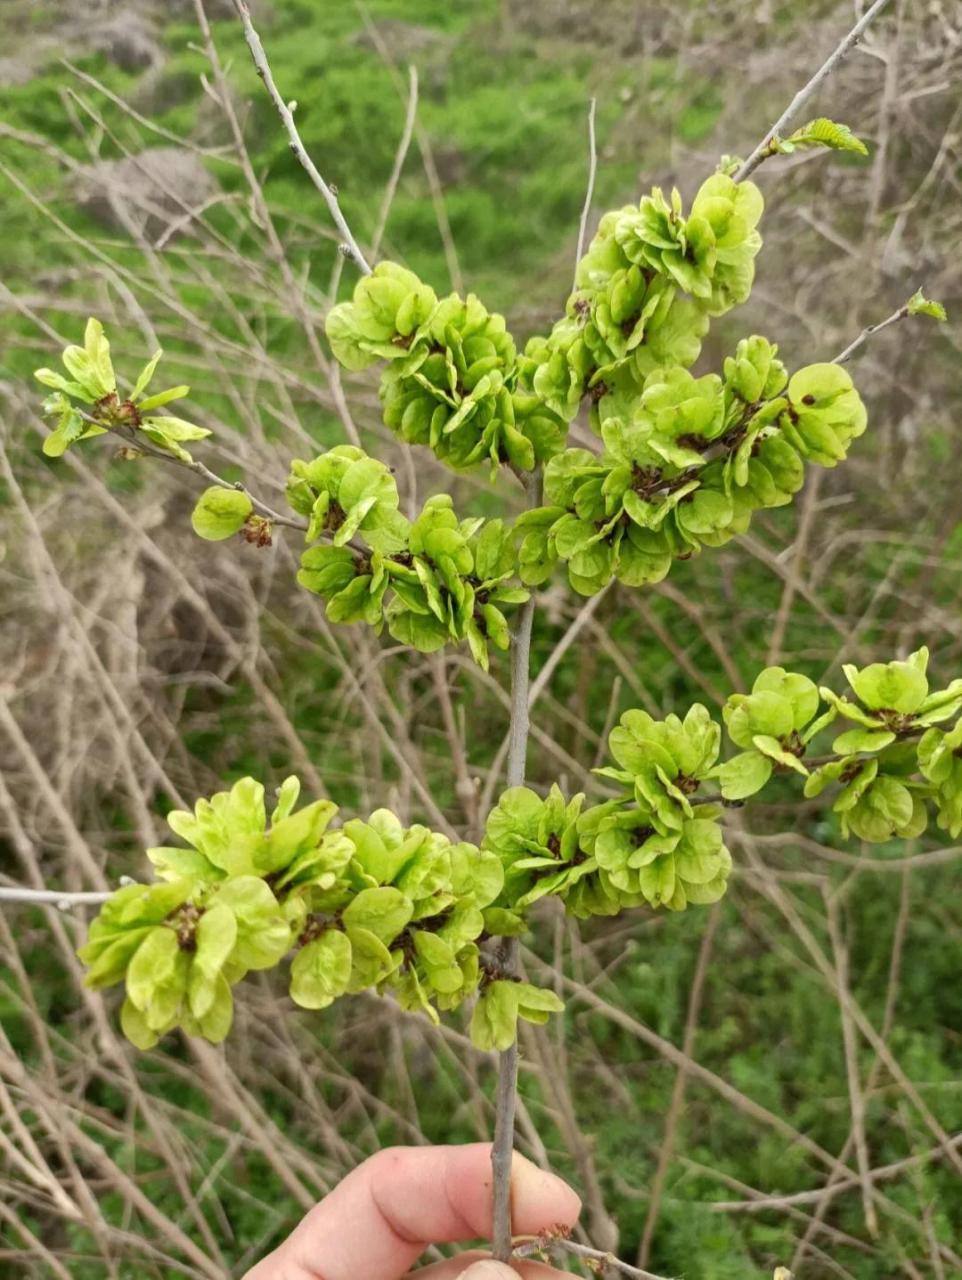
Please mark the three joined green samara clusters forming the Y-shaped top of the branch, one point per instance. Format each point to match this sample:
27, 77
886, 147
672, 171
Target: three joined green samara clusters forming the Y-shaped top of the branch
684, 461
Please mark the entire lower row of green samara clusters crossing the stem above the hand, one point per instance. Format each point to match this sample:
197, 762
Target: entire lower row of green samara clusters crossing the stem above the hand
374, 906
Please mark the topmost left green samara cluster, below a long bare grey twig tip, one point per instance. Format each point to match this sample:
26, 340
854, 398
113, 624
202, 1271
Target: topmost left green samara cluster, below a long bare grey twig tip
451, 381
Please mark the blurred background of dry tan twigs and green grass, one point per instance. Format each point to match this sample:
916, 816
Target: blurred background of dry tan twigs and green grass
711, 1086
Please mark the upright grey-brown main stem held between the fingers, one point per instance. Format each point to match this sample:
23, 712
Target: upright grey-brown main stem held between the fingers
506, 1104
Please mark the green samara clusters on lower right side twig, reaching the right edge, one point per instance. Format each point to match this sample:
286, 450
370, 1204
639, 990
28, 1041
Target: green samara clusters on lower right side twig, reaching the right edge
661, 843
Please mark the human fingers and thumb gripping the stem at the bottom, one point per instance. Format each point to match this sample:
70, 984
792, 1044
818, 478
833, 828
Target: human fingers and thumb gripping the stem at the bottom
382, 1218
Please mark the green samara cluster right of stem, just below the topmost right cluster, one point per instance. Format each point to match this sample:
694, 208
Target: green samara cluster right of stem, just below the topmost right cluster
689, 469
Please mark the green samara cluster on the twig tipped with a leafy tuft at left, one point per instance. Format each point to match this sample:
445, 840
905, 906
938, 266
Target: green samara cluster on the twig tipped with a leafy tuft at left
443, 580
